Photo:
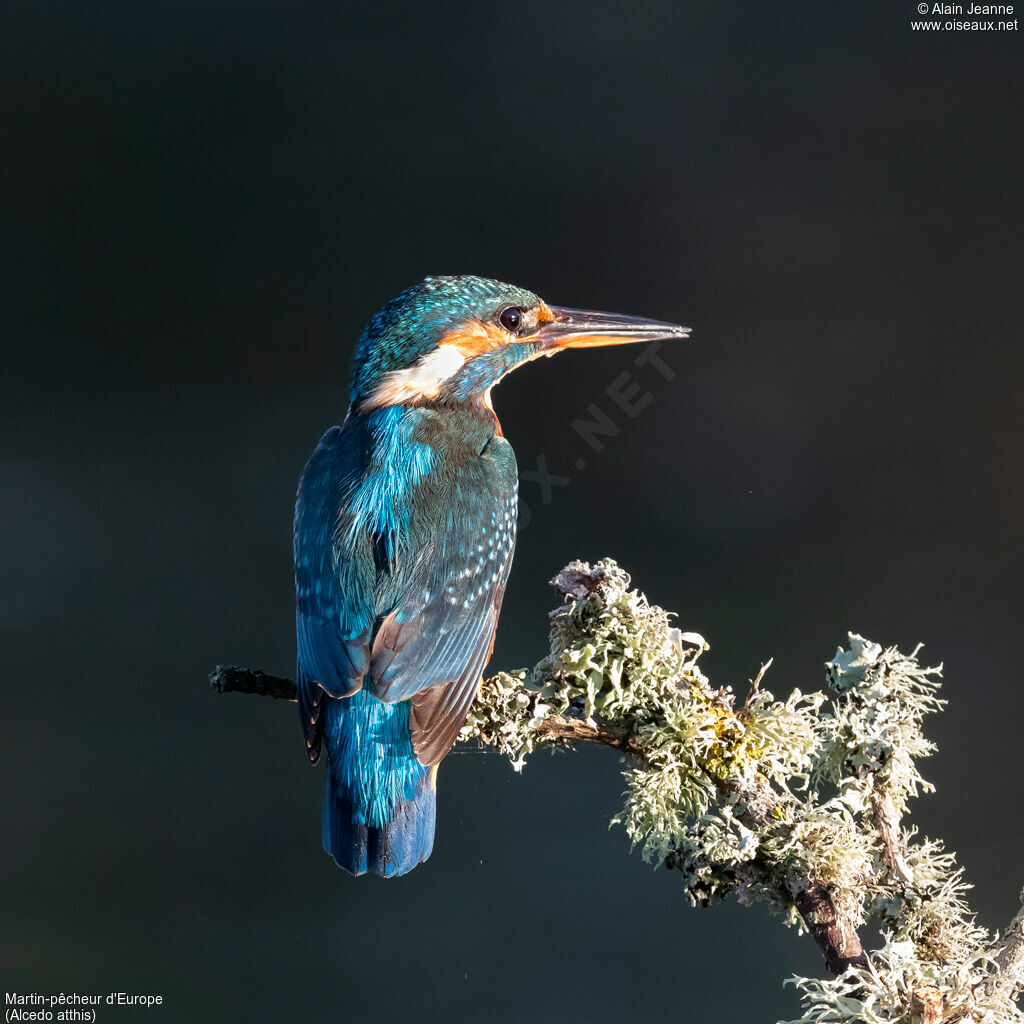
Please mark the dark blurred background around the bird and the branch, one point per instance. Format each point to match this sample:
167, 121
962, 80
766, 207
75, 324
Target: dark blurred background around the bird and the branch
205, 202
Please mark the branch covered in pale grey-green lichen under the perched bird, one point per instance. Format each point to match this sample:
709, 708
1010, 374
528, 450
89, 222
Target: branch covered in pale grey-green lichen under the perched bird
796, 804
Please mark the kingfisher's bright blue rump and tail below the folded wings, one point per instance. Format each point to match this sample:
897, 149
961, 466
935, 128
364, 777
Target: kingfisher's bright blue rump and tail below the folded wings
379, 802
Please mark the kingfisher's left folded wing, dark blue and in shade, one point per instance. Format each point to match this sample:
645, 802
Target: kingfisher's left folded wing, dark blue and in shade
334, 614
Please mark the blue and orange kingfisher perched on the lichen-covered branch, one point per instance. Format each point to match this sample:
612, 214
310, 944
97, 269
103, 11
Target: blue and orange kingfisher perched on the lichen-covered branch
405, 528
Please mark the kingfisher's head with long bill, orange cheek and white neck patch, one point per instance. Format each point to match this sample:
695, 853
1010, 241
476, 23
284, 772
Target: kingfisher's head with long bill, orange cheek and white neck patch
449, 340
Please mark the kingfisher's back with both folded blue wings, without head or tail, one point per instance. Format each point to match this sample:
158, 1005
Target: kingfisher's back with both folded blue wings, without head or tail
399, 588
